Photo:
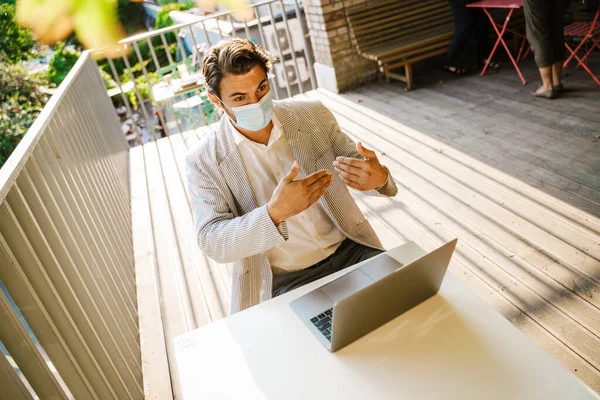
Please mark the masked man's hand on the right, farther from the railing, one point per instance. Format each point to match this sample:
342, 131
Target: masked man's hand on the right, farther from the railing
367, 174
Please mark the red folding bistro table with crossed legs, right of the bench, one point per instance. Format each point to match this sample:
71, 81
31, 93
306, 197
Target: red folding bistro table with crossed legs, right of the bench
511, 5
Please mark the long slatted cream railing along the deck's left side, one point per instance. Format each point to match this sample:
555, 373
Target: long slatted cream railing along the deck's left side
68, 308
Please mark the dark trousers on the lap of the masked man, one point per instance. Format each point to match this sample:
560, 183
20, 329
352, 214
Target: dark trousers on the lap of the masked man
348, 254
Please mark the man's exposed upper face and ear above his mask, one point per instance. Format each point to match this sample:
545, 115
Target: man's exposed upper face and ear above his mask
241, 90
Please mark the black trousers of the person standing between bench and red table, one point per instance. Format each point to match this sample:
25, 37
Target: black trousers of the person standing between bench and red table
468, 23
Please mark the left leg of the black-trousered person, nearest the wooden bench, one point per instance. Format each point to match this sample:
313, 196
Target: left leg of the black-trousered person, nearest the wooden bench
458, 46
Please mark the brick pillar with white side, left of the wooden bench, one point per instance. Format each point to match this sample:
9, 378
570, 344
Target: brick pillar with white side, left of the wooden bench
339, 67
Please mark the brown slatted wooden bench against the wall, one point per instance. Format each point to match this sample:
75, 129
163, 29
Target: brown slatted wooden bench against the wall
399, 33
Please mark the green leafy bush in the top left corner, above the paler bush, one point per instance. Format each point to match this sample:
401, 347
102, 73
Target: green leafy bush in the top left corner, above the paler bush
16, 43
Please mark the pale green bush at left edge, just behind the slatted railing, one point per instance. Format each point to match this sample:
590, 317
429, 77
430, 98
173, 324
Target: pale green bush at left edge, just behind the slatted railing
20, 103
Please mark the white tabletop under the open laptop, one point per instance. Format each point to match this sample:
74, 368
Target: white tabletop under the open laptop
452, 346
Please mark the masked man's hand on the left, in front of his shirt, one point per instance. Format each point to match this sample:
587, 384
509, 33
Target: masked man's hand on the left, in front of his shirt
292, 197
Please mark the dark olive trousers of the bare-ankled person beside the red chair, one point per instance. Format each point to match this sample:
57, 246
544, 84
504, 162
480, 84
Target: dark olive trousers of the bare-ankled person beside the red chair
545, 24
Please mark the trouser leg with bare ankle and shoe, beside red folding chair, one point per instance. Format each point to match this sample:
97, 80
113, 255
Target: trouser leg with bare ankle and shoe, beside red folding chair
538, 24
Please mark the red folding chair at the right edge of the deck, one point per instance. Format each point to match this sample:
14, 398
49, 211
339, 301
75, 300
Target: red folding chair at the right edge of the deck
587, 32
